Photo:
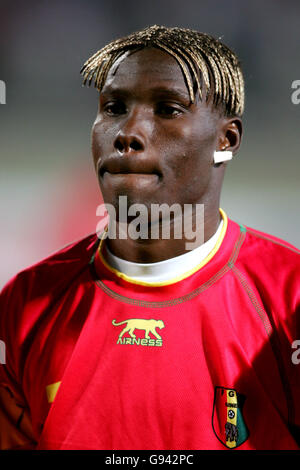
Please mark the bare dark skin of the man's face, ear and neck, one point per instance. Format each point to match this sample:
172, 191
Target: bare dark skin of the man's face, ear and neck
150, 143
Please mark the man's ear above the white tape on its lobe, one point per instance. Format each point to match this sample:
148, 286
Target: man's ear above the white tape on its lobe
230, 134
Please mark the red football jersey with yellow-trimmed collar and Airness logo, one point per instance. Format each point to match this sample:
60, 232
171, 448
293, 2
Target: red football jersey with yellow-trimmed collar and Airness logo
95, 360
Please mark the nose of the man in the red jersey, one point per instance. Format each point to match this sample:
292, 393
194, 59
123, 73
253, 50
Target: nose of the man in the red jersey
131, 138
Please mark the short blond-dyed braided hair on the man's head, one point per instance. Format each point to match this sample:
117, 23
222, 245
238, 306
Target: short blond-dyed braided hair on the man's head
205, 61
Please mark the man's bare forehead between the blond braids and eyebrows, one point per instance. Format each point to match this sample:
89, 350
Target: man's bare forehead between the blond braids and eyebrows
145, 67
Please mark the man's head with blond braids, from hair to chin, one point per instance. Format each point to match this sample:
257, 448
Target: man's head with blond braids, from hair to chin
169, 97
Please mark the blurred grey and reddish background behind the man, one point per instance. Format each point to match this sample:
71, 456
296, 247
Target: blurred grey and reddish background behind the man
48, 189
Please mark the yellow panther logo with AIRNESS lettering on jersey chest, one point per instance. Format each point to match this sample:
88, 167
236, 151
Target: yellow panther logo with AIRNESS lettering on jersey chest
149, 326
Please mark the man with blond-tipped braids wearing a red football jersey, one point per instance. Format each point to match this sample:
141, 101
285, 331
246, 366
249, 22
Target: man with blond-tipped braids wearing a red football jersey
136, 342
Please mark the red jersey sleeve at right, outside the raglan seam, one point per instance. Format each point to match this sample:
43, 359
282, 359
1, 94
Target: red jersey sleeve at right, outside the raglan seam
273, 266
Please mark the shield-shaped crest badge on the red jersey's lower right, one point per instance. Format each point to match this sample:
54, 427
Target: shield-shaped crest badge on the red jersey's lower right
227, 420
